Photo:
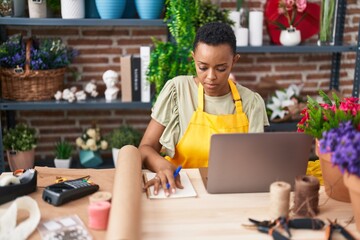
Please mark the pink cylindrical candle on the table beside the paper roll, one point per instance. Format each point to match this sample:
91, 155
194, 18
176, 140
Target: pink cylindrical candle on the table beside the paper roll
99, 215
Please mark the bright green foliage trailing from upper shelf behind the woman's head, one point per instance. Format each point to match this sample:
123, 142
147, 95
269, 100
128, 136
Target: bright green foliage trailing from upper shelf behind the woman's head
173, 58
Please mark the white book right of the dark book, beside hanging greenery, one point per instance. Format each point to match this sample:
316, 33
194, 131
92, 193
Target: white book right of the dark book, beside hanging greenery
145, 84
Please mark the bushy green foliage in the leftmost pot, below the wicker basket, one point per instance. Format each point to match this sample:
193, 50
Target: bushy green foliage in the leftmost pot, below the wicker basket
20, 138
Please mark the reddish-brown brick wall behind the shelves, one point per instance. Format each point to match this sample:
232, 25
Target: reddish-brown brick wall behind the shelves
101, 47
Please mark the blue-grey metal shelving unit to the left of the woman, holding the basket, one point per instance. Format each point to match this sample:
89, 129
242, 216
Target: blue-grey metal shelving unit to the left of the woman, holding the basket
10, 106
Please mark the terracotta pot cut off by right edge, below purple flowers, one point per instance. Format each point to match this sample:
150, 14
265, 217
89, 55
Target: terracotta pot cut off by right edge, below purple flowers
352, 182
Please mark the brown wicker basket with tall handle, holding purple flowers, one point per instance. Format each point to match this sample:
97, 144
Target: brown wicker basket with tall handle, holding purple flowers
30, 85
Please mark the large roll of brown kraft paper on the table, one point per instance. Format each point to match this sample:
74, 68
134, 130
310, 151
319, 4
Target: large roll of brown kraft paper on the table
125, 213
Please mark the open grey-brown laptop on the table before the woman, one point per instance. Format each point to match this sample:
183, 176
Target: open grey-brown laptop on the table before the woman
250, 162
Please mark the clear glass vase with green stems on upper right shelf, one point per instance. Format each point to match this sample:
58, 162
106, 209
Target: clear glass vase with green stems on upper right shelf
327, 22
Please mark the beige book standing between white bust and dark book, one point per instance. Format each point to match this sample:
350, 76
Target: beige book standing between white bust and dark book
126, 88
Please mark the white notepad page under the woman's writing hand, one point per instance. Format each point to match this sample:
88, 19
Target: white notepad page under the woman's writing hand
187, 191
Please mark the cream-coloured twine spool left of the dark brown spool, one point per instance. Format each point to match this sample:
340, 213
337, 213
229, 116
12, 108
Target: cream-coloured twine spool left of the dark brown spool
279, 199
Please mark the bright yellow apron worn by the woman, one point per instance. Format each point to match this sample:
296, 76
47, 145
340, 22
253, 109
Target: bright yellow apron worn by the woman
192, 151
